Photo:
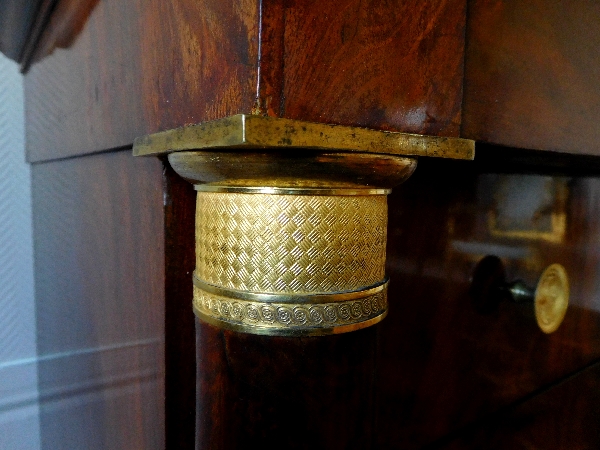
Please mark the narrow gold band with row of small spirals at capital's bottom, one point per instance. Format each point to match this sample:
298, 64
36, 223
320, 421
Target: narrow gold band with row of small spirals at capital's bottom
296, 319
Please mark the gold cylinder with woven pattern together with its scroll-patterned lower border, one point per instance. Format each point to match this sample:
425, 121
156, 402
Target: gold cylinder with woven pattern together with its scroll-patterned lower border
293, 245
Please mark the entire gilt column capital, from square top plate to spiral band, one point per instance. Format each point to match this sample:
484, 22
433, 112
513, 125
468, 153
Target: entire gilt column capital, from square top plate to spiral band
291, 218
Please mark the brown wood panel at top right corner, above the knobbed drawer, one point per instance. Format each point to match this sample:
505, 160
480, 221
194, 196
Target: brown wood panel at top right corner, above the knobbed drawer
531, 76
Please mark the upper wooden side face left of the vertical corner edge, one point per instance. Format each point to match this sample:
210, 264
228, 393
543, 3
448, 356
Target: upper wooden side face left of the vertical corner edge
108, 71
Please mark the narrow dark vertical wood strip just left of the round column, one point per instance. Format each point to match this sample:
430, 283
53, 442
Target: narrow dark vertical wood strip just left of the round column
180, 353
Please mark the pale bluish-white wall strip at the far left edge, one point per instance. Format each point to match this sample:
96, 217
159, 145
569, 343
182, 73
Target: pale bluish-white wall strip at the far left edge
19, 410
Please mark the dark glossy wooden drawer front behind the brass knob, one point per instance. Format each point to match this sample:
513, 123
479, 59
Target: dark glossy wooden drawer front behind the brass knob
443, 365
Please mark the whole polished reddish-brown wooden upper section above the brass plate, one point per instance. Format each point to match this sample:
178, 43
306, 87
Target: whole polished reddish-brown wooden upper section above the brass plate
138, 68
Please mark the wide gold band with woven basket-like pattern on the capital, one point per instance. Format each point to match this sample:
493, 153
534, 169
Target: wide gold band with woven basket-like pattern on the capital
290, 244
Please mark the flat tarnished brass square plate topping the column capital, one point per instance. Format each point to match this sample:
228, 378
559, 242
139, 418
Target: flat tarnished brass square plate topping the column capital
260, 132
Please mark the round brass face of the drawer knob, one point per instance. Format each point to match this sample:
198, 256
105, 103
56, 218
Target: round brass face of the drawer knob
551, 298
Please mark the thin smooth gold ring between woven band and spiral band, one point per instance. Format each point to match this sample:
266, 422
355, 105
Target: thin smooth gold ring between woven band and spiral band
306, 298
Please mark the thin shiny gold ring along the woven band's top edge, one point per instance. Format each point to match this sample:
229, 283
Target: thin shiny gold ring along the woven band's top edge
290, 191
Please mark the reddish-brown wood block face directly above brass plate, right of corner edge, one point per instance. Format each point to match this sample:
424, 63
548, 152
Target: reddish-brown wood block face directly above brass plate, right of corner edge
394, 65
